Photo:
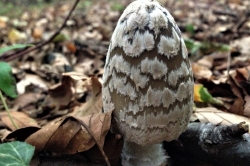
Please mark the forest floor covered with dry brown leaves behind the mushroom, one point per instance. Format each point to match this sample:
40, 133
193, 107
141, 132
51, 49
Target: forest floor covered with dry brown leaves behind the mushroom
60, 82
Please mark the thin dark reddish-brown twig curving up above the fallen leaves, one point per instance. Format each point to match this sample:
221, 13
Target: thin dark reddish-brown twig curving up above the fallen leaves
19, 53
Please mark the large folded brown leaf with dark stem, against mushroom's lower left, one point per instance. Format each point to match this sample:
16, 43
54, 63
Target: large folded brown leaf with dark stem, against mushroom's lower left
69, 136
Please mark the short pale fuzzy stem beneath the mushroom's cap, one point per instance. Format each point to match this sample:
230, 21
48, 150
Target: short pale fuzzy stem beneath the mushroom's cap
148, 155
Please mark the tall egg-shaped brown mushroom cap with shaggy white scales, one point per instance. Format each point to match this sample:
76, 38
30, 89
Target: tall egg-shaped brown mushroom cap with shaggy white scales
148, 81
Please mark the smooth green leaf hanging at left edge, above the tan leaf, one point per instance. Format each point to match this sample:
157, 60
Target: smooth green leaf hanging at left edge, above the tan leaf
7, 80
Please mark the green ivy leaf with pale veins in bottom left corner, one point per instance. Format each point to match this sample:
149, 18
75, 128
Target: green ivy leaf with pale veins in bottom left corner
16, 153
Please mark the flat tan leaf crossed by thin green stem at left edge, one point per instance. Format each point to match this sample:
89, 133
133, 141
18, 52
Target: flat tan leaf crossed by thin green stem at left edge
21, 119
